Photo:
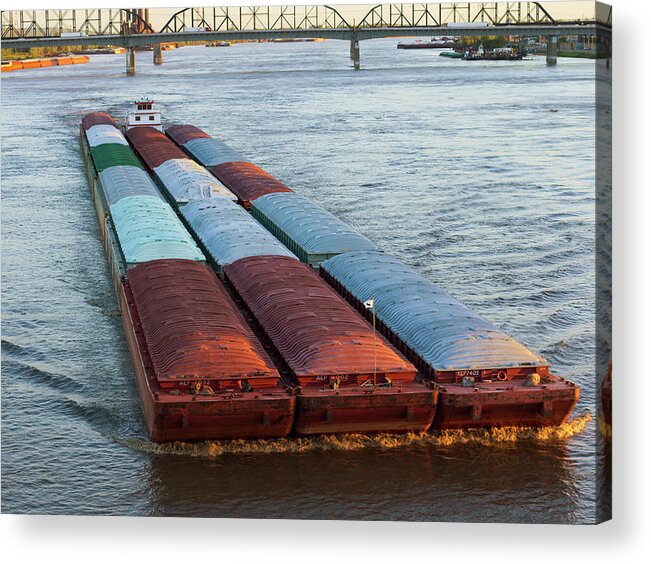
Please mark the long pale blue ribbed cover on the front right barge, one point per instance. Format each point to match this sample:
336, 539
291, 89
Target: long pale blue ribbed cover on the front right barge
441, 330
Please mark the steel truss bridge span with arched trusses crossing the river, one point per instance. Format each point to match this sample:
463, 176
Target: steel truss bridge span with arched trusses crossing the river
133, 28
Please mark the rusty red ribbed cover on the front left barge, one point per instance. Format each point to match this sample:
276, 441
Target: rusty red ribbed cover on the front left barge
192, 327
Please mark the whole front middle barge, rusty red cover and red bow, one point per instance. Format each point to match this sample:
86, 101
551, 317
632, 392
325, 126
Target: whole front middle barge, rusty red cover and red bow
347, 377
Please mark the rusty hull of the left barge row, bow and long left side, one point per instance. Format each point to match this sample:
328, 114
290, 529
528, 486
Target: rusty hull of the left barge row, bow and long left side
185, 417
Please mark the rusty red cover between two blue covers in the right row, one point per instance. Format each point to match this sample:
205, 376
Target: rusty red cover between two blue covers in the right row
247, 181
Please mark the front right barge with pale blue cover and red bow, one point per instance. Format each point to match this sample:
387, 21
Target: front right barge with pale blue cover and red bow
485, 378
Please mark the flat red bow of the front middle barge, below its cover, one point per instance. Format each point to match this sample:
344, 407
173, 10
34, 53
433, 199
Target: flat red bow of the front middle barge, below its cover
407, 408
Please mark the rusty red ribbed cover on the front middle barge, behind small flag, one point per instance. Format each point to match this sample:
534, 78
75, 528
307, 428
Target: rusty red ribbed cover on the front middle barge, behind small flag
316, 332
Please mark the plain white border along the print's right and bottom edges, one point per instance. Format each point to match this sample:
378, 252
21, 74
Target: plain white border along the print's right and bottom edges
105, 539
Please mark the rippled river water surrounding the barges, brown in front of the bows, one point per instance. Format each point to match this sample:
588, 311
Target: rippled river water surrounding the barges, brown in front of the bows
458, 168
